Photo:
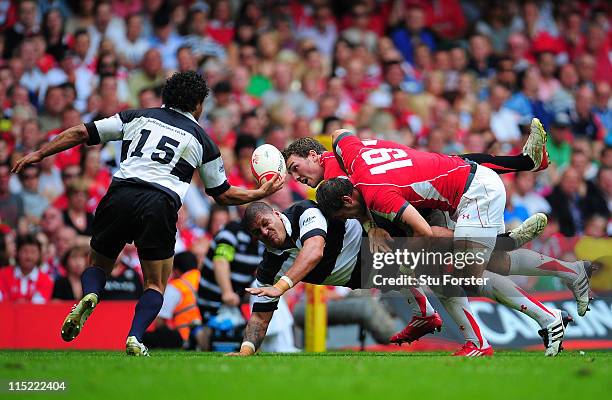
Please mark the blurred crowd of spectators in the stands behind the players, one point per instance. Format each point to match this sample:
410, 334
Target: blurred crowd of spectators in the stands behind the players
449, 76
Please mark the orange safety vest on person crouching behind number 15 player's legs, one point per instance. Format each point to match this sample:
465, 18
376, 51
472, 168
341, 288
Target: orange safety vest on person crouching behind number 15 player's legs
187, 313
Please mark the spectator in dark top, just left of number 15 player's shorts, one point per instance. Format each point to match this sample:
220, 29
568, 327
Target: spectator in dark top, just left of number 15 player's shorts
69, 287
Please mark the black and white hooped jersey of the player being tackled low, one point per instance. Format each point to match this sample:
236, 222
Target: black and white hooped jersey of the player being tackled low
302, 221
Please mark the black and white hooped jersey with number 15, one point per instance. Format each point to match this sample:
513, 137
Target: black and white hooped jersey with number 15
162, 147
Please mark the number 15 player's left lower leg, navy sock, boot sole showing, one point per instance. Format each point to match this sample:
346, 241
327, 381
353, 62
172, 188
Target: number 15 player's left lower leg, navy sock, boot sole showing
93, 281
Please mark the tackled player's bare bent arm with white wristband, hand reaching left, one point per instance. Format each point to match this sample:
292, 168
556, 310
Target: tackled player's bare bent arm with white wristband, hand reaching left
308, 258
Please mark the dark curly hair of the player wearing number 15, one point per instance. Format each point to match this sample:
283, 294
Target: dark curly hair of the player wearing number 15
184, 91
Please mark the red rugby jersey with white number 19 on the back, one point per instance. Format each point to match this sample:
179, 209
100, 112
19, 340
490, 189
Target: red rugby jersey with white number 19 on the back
390, 176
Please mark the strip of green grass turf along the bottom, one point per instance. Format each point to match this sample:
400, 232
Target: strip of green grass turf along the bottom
382, 376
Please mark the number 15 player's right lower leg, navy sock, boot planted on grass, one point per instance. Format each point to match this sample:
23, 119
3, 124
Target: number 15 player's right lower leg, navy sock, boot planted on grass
156, 274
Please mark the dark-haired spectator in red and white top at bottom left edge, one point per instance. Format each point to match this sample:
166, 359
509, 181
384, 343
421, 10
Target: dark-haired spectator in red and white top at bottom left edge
25, 282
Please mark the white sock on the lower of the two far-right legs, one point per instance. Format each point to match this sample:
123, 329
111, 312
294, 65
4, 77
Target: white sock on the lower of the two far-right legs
504, 291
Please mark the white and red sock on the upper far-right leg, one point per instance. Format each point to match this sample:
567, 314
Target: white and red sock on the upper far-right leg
530, 263
